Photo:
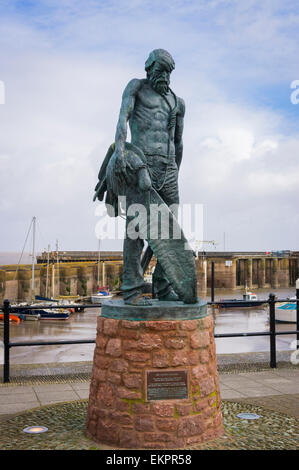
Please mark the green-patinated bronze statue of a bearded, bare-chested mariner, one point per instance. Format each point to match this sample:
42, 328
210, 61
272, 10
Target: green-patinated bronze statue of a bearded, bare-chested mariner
145, 171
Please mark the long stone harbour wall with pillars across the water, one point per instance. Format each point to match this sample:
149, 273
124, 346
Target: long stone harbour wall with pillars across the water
232, 271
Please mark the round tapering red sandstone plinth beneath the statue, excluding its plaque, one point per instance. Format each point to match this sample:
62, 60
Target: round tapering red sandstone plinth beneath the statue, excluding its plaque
118, 411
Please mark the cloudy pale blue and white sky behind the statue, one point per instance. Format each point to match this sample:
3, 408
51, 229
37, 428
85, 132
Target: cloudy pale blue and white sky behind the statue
65, 63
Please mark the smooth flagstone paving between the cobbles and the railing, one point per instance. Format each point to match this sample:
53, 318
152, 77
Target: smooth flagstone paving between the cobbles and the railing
276, 389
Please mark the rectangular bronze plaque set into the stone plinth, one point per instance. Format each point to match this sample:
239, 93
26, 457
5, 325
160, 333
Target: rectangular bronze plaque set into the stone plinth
167, 385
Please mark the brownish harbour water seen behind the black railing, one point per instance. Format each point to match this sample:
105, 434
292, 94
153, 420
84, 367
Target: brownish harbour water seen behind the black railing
83, 326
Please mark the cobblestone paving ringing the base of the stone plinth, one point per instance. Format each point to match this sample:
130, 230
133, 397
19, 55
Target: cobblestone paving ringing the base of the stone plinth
66, 424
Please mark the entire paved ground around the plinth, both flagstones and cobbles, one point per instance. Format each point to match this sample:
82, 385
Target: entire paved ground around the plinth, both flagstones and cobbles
56, 395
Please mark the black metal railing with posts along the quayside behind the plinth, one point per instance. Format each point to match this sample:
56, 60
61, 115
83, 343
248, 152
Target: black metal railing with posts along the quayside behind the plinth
271, 301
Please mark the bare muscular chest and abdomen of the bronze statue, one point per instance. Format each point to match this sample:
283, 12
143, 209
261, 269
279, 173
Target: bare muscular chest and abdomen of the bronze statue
149, 121
